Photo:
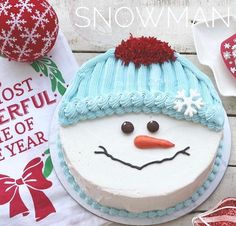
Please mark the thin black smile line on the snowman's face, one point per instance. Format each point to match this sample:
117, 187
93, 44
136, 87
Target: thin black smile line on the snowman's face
105, 152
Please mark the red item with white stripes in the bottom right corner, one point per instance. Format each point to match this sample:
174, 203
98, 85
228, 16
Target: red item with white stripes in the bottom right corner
224, 214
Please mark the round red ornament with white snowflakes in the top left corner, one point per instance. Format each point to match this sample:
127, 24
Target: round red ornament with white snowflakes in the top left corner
28, 29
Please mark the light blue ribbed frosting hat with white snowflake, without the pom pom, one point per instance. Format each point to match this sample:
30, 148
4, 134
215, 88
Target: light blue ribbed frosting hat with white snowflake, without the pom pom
105, 86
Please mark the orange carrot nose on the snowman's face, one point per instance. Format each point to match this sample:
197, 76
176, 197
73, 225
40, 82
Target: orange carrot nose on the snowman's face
145, 142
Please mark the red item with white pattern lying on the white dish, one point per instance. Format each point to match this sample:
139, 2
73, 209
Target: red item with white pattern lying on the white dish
228, 52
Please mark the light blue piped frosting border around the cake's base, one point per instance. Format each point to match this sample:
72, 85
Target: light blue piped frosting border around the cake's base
147, 214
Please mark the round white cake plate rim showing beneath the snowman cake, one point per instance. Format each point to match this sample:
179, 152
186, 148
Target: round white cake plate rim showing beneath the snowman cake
138, 221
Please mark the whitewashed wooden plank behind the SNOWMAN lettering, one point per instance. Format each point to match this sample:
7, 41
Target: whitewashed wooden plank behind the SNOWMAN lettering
100, 37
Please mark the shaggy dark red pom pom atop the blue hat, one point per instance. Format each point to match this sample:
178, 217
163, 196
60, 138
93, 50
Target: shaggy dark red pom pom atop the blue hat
144, 50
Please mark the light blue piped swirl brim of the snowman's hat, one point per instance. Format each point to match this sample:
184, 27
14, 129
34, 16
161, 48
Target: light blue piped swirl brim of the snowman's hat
92, 108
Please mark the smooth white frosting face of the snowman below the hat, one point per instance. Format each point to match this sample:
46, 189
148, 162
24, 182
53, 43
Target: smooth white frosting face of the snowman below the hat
117, 185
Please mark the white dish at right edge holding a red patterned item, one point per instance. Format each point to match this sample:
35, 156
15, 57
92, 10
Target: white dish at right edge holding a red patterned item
207, 41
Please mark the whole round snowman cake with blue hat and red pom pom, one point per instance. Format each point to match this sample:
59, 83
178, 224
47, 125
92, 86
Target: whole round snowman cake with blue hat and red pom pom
140, 127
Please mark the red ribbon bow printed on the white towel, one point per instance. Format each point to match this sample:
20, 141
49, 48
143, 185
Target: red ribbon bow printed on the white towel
33, 178
